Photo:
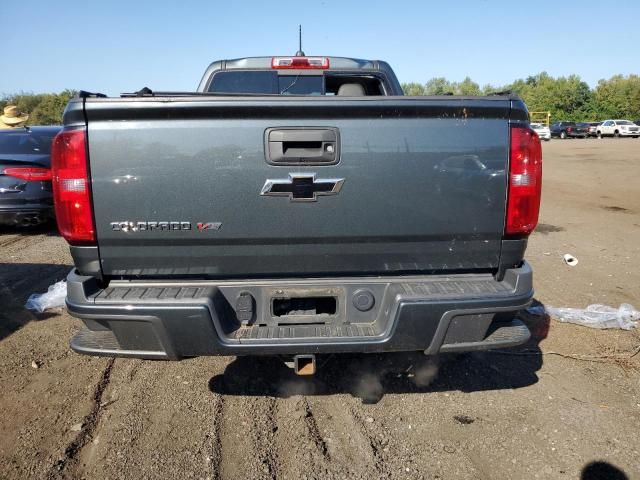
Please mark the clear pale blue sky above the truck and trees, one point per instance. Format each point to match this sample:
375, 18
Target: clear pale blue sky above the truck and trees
116, 46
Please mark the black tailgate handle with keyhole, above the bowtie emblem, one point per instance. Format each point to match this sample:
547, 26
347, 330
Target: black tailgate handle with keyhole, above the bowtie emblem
302, 146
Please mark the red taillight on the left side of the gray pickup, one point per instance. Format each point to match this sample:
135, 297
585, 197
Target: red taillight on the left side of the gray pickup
71, 192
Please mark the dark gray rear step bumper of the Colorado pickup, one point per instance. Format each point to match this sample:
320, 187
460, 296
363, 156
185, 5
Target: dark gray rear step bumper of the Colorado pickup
177, 319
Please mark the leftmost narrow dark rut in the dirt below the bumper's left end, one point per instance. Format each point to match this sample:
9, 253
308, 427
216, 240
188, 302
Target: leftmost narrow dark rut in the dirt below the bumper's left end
65, 467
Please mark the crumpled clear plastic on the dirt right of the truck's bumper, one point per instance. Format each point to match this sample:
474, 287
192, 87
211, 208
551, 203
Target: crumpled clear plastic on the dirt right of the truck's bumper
625, 317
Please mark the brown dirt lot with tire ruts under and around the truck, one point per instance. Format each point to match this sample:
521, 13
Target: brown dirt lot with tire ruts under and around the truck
565, 406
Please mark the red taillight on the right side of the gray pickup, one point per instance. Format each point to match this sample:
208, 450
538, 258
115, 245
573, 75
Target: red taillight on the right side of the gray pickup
525, 181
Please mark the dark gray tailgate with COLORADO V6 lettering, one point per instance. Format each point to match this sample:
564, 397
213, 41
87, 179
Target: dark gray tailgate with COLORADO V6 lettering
179, 186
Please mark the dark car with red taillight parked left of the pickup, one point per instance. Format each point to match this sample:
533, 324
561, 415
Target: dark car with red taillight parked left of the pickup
25, 175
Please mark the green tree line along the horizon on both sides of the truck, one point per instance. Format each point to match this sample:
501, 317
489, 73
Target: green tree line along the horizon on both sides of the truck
567, 98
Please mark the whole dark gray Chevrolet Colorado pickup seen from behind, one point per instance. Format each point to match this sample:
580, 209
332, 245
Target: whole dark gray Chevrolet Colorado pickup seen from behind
296, 206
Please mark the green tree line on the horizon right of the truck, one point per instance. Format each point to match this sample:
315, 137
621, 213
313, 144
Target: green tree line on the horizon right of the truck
567, 98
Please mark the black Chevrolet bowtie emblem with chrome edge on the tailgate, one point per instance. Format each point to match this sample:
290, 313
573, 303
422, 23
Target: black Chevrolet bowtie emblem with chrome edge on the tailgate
302, 187
